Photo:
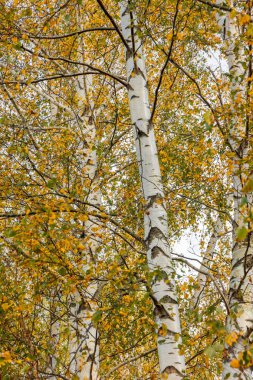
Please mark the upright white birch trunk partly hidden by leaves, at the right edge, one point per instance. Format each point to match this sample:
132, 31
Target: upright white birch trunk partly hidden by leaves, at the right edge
240, 319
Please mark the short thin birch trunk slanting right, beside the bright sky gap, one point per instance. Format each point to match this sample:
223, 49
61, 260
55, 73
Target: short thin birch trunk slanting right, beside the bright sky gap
206, 262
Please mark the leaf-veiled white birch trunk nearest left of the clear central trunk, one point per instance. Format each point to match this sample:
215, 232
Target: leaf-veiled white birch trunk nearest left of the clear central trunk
84, 344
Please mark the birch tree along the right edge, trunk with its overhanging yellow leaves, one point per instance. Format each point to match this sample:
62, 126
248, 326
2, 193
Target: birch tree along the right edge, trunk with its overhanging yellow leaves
237, 35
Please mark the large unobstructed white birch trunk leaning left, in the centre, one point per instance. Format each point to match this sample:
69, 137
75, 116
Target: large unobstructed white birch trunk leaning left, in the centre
155, 219
